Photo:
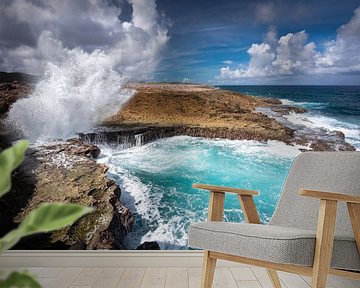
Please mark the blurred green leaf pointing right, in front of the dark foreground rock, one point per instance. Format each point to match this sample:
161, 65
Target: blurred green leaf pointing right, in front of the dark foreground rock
46, 218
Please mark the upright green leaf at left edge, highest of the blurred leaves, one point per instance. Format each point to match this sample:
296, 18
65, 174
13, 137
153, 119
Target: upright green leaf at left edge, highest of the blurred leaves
10, 159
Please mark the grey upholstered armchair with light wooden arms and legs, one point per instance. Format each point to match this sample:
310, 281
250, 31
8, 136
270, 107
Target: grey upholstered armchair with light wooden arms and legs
312, 232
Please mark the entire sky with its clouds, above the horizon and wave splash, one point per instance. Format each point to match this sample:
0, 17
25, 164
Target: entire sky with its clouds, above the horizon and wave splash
207, 41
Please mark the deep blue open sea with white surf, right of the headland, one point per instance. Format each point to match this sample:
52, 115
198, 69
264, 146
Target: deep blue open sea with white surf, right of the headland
331, 107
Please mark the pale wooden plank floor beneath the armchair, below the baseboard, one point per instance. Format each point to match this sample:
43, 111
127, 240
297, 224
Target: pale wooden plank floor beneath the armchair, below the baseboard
170, 277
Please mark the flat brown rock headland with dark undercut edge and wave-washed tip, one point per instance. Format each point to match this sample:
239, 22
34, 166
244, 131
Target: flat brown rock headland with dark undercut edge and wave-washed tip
164, 110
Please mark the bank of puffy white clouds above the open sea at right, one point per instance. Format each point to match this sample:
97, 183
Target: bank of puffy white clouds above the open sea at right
293, 54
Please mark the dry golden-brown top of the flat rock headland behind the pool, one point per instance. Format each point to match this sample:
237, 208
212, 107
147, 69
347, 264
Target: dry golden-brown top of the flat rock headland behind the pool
200, 111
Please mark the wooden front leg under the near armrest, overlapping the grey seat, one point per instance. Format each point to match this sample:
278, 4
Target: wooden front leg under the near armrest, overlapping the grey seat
324, 243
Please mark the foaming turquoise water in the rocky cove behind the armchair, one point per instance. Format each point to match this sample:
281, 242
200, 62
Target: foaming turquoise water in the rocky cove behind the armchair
156, 182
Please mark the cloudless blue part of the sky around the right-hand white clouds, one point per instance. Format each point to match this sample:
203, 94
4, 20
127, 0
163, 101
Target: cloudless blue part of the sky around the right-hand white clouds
203, 34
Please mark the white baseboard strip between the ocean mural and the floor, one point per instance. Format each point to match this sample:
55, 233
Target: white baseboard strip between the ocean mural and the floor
101, 258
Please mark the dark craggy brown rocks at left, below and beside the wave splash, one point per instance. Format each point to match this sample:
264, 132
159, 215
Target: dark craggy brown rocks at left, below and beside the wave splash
62, 172
